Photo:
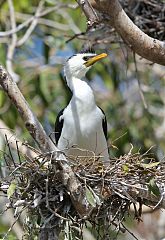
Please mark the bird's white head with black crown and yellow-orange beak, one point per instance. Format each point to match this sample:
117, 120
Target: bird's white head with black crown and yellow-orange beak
79, 64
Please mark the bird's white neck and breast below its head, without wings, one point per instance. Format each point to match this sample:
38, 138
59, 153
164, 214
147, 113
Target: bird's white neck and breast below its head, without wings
82, 126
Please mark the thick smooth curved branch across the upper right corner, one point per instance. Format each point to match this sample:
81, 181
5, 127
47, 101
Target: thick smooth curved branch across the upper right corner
147, 47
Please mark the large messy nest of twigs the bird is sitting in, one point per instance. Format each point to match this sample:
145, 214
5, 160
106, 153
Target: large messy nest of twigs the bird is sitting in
35, 185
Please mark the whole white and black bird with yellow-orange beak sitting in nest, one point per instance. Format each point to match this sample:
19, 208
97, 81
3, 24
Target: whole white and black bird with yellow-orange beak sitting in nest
81, 127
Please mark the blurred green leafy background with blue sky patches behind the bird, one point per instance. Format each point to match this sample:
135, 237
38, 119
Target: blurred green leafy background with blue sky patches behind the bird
130, 92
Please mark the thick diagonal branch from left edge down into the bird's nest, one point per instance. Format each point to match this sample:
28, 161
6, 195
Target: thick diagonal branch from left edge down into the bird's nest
37, 132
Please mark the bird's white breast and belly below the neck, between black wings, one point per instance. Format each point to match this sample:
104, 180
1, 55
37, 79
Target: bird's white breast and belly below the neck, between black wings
83, 130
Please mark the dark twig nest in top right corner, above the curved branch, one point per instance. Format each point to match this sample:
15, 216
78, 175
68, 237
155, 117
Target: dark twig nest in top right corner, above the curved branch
148, 15
